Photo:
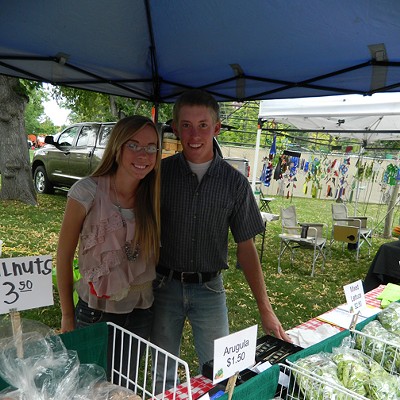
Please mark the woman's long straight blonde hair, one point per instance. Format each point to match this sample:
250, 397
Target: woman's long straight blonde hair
147, 204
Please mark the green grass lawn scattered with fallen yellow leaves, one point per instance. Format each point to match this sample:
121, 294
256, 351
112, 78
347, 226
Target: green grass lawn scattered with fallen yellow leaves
296, 297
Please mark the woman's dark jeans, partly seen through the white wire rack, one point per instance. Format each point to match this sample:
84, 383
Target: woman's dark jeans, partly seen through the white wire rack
138, 321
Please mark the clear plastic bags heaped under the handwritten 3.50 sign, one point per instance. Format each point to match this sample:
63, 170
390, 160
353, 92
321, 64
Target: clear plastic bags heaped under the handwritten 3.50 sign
36, 363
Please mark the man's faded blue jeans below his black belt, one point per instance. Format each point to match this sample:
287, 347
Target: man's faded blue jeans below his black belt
203, 304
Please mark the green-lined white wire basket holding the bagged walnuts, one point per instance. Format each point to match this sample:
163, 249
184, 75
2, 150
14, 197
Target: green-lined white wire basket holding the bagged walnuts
93, 343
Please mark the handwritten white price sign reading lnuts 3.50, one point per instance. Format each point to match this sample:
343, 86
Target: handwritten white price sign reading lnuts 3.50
25, 283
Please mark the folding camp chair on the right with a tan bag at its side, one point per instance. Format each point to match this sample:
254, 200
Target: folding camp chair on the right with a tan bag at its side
344, 228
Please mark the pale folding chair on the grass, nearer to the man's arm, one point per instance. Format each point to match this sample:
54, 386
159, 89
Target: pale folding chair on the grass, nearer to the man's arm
293, 238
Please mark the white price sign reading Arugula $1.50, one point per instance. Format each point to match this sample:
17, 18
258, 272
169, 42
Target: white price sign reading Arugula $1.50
234, 353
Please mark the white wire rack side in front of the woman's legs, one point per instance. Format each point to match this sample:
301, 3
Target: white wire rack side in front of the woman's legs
133, 366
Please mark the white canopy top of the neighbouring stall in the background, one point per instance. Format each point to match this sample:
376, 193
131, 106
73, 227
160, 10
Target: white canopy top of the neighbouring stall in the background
367, 118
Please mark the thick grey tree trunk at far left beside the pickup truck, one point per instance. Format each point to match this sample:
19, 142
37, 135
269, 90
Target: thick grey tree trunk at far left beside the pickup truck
15, 166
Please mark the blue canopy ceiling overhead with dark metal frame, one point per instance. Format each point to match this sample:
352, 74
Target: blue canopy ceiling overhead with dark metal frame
237, 50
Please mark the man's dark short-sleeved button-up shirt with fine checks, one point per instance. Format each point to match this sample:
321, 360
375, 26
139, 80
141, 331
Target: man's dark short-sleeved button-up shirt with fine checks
196, 217
